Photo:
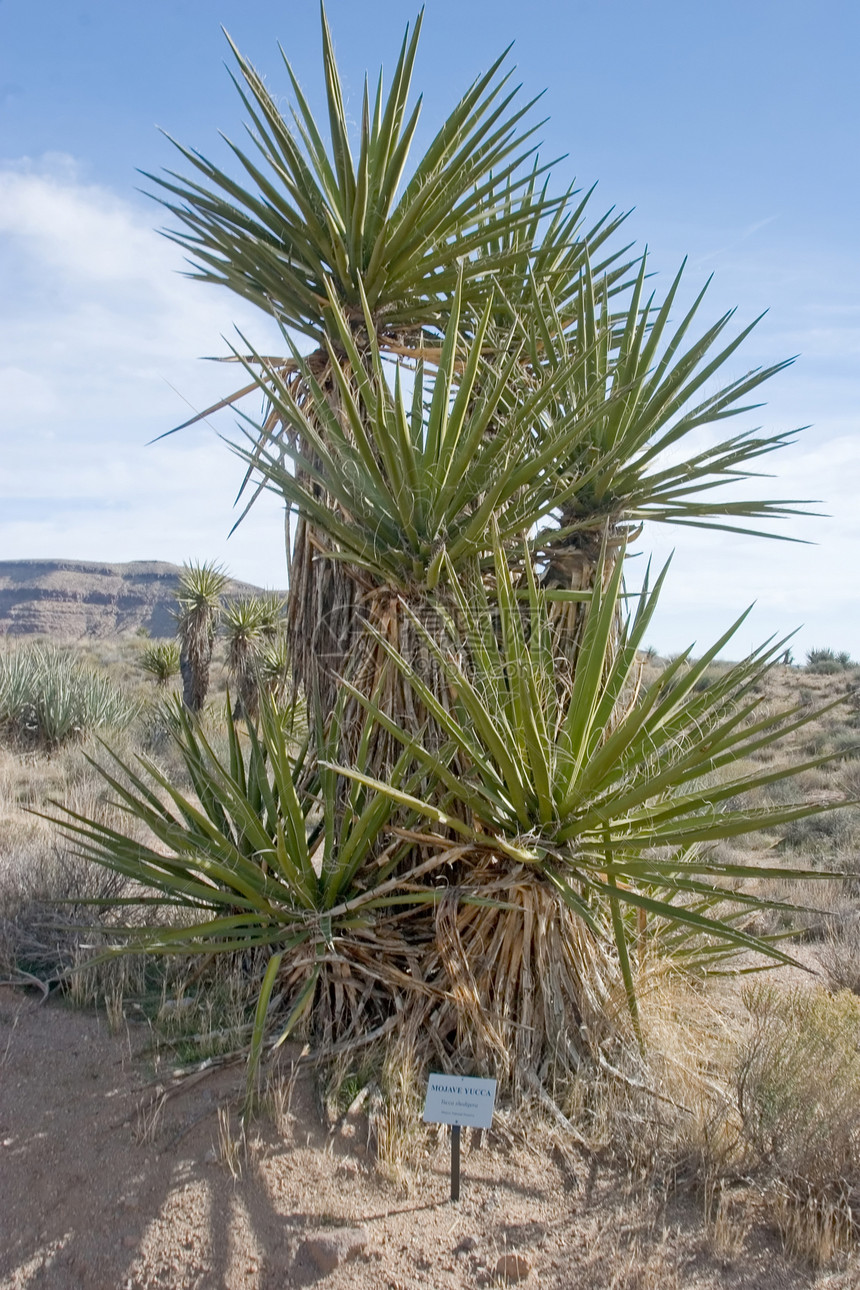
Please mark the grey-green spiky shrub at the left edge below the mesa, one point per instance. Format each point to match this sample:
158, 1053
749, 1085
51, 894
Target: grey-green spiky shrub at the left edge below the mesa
48, 697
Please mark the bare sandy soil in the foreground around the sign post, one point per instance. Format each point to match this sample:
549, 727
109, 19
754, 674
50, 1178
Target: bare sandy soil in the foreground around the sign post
88, 1203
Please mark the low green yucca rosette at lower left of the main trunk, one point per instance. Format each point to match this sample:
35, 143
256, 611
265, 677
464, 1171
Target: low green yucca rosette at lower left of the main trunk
269, 858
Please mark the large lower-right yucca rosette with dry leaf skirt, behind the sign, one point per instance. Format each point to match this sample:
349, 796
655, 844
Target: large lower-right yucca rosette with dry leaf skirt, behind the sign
590, 800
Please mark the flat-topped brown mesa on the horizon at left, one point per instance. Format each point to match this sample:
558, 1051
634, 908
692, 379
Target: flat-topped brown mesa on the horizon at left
78, 599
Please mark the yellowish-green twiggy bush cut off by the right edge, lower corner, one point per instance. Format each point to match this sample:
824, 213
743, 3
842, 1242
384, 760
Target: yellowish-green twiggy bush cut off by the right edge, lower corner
799, 1097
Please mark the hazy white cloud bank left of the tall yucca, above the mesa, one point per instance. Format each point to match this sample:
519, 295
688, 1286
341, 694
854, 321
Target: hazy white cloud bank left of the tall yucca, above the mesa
96, 331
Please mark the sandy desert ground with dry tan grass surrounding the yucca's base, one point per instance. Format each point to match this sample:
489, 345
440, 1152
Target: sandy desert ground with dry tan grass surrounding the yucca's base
640, 1175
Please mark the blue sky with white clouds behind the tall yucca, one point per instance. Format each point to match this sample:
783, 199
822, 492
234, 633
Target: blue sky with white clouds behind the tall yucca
730, 128
